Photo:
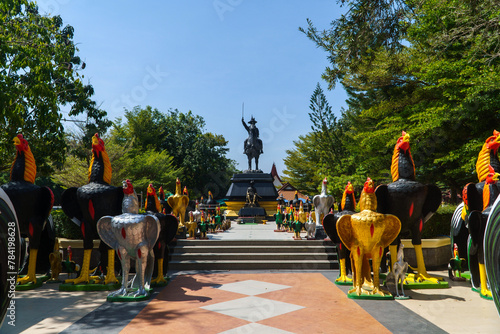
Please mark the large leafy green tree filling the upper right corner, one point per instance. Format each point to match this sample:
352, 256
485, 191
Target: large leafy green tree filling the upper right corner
430, 68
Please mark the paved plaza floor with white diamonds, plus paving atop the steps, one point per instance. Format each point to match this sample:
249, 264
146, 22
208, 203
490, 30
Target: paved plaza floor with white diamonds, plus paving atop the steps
254, 302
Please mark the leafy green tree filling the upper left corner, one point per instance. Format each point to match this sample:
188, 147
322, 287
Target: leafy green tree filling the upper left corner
39, 73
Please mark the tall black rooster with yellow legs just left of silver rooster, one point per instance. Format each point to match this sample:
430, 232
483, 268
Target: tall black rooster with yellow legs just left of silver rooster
87, 204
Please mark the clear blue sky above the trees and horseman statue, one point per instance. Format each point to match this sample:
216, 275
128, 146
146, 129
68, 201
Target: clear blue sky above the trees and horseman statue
210, 57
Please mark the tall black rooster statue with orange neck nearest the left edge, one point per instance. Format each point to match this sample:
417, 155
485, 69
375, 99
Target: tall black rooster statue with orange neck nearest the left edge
31, 203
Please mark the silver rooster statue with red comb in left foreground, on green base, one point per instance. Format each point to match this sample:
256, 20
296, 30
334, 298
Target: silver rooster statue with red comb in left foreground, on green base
133, 236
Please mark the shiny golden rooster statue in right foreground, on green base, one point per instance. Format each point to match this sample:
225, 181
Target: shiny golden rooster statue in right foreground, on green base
366, 234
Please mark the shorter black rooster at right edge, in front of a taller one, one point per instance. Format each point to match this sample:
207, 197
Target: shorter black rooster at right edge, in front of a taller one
480, 202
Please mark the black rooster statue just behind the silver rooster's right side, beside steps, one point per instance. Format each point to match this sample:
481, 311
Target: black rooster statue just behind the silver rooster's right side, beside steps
168, 230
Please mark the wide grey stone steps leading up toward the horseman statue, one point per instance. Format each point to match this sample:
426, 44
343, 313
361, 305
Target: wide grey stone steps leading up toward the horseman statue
252, 255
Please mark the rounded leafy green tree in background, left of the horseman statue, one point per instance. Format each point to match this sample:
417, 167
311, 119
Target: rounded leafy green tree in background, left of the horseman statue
198, 157
